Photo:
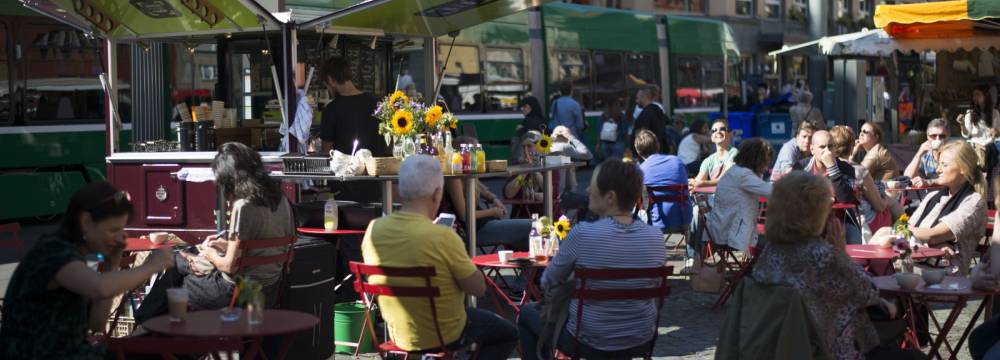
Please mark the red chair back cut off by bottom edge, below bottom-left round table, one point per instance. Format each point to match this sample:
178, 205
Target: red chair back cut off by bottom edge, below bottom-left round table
168, 348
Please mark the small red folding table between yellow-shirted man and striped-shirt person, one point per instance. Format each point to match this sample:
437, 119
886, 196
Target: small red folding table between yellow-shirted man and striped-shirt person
490, 265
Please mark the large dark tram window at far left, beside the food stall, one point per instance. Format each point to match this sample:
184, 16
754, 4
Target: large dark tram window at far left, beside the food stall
61, 69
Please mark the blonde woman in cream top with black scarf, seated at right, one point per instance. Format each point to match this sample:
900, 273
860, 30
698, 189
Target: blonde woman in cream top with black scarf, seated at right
953, 218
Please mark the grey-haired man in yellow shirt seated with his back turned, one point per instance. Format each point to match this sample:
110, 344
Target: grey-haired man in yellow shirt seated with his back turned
409, 238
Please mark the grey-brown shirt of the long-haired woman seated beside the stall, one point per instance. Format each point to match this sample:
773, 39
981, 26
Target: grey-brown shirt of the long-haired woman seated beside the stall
254, 222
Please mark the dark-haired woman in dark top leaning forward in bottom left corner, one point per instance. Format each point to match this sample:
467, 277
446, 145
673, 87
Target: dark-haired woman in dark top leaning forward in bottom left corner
54, 297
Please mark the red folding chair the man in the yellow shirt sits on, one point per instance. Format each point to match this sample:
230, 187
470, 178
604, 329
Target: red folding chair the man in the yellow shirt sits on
369, 293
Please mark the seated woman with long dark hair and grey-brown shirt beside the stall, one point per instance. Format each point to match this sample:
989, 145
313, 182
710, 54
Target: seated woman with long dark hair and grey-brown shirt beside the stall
259, 211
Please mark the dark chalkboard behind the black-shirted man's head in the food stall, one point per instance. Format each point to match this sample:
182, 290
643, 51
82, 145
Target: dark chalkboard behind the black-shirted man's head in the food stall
369, 67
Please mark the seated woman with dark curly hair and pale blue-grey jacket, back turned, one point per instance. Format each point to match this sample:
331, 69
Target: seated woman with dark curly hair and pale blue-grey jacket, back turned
733, 220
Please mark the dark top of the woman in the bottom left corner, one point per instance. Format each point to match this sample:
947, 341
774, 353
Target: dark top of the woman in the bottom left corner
42, 320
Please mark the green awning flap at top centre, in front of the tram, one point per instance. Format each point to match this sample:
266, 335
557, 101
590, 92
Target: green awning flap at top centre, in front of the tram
416, 17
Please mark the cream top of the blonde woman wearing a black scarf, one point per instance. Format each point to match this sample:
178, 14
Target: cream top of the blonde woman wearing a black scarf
967, 222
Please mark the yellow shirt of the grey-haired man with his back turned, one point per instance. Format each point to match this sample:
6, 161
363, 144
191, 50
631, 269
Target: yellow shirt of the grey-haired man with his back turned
406, 239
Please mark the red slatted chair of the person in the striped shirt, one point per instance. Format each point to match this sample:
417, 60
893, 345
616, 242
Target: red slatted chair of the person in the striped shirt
583, 293
